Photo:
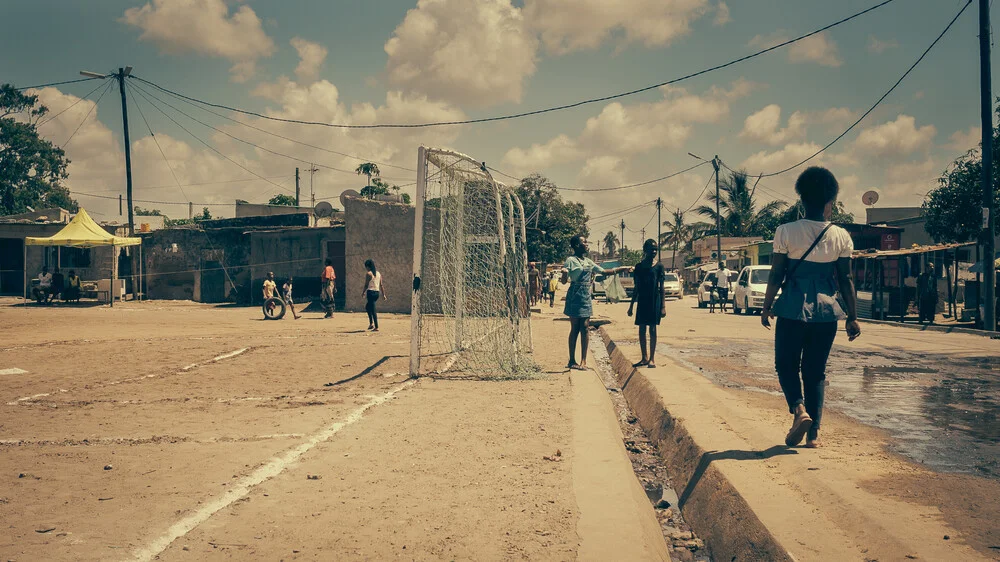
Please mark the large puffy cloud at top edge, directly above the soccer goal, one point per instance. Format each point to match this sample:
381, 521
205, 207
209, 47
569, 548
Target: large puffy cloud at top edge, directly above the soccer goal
468, 53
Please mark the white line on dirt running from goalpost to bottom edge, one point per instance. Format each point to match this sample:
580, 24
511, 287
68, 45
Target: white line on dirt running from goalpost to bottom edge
242, 487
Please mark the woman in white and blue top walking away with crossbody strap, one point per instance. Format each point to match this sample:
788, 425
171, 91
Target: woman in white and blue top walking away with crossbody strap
811, 260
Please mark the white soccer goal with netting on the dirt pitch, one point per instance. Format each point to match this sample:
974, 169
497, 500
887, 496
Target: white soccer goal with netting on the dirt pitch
470, 306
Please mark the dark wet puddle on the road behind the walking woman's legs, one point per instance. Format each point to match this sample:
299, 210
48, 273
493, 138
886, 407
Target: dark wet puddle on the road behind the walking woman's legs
940, 410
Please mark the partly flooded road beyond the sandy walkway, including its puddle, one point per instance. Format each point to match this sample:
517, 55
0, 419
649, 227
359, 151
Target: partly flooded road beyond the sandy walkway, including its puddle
936, 394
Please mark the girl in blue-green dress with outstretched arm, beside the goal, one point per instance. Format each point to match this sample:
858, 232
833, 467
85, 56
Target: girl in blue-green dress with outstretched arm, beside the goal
580, 269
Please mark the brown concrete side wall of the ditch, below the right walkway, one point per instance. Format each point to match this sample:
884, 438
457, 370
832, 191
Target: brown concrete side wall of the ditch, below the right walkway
714, 507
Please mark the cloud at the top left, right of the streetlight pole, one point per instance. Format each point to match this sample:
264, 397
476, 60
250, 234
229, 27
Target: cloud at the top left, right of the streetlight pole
204, 27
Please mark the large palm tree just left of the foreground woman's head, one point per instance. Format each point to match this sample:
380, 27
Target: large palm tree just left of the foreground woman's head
738, 209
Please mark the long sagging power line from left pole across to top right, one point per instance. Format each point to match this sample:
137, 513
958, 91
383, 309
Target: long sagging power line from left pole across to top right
537, 111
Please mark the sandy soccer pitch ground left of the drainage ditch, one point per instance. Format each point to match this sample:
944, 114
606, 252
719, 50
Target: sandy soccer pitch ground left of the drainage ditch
189, 432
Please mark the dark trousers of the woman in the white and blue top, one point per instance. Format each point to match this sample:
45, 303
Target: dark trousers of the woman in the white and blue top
803, 348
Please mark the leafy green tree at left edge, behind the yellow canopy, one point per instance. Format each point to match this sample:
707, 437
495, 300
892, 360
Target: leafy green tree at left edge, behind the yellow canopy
31, 168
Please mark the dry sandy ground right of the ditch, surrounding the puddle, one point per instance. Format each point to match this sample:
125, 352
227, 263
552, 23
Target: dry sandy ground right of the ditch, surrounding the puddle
866, 501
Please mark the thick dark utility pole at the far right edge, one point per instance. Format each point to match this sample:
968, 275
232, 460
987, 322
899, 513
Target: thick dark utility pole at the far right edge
986, 114
